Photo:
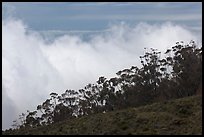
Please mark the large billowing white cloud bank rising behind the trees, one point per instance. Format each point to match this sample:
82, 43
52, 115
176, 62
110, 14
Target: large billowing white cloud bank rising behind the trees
33, 68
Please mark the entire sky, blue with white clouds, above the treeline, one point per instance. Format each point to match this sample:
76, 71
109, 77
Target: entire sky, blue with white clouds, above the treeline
51, 47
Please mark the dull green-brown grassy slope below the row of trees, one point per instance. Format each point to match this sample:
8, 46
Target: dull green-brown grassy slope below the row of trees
181, 116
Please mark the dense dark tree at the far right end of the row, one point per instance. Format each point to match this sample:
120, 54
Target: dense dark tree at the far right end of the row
187, 68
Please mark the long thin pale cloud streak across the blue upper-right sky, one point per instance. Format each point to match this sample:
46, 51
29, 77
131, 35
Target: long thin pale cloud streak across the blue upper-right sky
144, 17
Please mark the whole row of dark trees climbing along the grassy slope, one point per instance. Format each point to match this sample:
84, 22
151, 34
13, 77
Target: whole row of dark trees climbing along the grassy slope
177, 74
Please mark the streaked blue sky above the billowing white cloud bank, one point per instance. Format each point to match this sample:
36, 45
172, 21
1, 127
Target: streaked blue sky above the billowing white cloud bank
99, 15
